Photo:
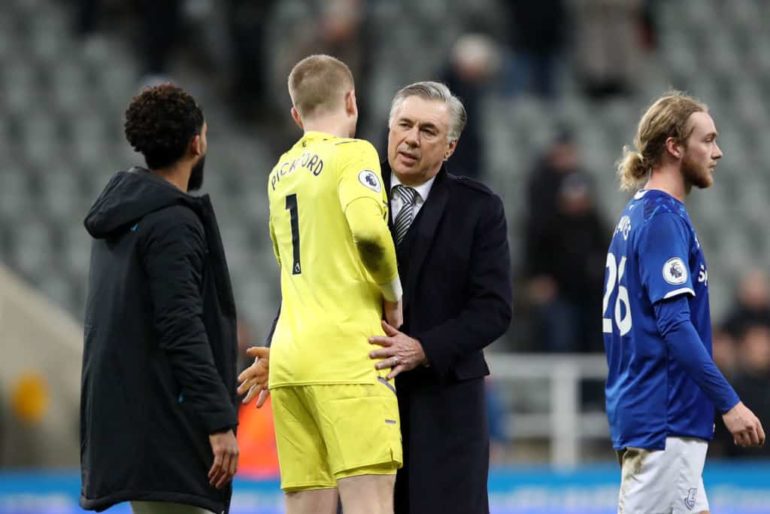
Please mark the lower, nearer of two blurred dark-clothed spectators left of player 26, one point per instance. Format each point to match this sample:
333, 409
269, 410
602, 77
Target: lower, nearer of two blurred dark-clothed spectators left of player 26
565, 264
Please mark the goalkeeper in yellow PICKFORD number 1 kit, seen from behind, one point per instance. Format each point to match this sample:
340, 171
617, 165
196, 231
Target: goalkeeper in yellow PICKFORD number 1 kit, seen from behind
336, 418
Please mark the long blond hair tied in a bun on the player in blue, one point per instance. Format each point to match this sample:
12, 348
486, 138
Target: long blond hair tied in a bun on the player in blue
667, 117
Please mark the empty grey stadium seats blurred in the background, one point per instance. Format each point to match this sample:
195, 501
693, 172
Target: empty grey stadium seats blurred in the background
62, 101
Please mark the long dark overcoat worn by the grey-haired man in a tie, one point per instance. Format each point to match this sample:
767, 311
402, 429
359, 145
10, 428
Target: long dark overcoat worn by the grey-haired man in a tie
455, 269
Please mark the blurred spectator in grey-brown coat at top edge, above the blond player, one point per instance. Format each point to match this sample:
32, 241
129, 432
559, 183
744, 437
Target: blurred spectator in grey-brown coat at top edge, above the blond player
607, 45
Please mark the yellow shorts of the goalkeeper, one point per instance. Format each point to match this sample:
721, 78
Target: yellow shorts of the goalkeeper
328, 432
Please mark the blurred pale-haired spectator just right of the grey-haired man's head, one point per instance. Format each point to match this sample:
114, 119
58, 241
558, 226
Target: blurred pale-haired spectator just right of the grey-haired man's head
473, 62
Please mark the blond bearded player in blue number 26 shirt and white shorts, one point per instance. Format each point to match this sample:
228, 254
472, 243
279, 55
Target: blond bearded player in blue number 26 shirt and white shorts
663, 386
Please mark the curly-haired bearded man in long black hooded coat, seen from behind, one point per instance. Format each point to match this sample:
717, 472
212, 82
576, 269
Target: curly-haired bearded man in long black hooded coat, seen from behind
158, 402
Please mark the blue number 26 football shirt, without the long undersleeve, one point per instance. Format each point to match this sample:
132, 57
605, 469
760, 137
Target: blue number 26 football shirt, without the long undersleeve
654, 255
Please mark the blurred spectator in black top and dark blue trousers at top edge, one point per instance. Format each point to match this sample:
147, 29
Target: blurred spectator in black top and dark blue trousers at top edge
537, 40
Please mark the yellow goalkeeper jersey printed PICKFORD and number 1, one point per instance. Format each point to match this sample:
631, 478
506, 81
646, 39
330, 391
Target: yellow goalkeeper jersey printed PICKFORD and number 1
327, 203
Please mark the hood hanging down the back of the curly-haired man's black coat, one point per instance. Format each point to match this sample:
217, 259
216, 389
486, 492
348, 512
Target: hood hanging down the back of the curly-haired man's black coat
128, 196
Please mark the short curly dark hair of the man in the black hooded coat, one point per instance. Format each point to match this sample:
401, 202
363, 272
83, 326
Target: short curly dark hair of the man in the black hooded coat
160, 122
